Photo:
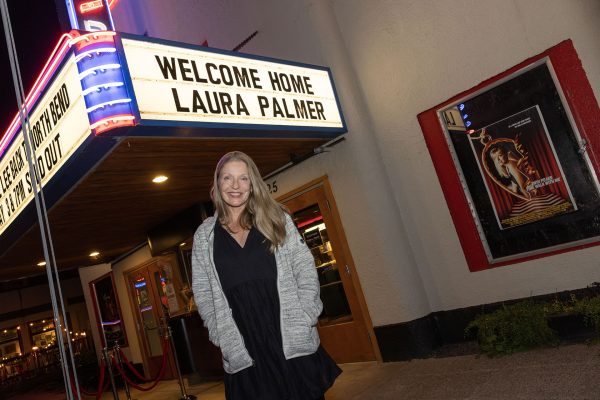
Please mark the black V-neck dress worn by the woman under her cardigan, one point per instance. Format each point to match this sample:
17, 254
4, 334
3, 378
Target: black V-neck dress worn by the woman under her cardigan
248, 276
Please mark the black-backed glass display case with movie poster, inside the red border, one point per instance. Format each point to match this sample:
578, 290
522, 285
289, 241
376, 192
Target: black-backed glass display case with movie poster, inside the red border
524, 169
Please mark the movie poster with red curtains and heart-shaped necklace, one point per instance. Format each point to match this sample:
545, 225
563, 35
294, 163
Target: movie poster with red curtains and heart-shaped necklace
522, 174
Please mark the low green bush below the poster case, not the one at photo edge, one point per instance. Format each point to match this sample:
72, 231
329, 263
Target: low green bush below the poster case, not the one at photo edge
517, 327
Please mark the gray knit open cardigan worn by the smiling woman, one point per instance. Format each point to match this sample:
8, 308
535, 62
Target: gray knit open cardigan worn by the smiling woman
297, 284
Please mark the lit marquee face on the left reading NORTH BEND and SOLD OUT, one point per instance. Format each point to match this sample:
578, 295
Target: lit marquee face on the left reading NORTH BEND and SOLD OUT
57, 127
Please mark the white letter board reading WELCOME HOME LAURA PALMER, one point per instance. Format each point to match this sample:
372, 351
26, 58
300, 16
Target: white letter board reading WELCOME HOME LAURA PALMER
173, 83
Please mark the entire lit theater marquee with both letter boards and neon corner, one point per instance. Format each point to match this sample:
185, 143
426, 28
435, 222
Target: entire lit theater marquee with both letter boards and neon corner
102, 85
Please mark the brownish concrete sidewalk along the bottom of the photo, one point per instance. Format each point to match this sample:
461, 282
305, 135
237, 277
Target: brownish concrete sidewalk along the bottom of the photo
568, 372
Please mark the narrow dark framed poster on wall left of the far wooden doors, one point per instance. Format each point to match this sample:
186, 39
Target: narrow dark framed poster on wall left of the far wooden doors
108, 311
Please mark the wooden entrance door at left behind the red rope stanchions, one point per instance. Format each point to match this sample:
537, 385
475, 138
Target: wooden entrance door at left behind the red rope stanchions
146, 286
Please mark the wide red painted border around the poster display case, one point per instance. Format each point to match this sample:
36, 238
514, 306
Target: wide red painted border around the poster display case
586, 115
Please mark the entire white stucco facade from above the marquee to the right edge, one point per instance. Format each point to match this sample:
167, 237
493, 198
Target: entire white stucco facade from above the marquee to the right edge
390, 61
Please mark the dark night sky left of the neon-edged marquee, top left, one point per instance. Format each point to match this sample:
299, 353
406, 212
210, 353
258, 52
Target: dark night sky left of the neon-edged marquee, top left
36, 29
